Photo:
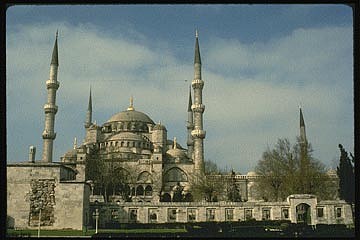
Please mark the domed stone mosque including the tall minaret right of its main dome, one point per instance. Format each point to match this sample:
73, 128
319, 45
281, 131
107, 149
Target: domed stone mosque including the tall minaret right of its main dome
132, 145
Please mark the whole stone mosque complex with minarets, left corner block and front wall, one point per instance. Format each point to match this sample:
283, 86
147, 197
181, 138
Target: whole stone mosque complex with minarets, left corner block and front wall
151, 168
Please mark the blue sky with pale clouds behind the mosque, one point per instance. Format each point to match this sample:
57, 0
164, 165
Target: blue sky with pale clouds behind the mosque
259, 63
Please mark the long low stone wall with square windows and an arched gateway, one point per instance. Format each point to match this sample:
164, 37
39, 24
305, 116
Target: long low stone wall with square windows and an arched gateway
323, 212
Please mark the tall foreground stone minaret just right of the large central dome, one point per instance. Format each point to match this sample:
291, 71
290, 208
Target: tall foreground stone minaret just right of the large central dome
198, 109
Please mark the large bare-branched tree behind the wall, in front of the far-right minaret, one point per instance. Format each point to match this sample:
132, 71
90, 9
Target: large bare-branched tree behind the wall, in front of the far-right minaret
288, 169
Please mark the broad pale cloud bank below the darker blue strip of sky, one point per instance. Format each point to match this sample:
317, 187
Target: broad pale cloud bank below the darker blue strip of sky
251, 91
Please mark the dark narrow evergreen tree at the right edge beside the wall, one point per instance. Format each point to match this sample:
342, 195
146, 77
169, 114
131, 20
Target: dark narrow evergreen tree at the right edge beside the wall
345, 172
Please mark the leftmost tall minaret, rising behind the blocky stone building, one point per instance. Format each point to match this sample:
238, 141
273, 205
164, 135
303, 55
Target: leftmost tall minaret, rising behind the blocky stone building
50, 108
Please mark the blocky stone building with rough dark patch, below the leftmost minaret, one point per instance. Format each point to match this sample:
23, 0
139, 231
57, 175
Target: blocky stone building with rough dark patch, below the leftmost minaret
51, 187
